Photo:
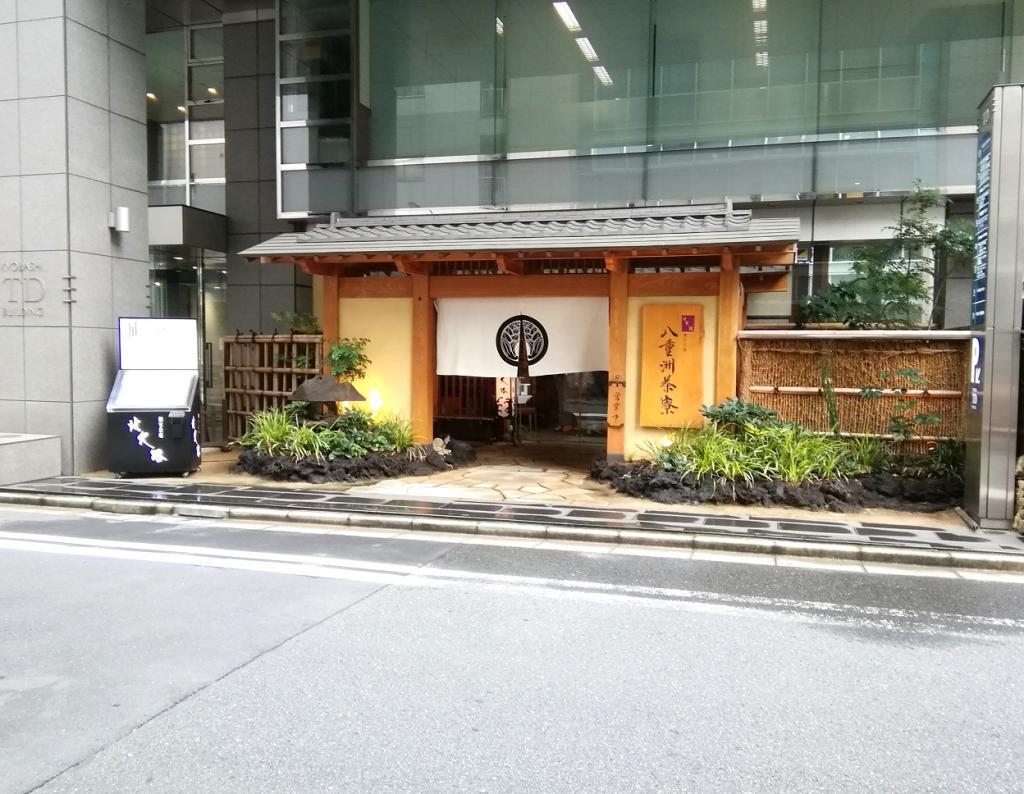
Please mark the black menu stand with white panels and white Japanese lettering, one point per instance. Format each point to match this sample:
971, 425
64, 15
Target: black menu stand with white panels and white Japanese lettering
153, 413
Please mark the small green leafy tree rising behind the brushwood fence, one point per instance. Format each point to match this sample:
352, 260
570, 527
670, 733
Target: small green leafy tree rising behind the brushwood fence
893, 282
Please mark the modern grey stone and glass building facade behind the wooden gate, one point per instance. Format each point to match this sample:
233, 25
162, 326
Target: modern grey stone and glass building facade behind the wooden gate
240, 120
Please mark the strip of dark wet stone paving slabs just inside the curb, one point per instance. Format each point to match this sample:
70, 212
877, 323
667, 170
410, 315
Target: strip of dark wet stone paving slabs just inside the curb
414, 510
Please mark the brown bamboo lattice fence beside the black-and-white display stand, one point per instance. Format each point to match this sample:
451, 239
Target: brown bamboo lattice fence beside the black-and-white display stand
262, 371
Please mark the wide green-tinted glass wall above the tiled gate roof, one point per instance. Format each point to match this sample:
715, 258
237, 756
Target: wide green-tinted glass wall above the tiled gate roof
503, 103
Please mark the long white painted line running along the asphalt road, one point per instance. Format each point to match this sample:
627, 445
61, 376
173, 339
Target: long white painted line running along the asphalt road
413, 576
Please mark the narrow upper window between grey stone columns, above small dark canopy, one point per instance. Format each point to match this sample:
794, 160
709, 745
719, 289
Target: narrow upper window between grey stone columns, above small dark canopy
186, 117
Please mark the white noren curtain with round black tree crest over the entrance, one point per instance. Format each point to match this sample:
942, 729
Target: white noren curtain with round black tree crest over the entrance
480, 338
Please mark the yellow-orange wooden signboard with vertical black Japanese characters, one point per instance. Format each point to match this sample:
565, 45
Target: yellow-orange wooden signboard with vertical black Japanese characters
672, 365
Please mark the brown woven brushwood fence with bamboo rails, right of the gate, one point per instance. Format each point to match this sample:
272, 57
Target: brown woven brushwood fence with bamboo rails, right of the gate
786, 375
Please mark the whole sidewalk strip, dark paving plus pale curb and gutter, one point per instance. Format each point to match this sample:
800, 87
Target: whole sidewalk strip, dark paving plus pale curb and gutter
831, 536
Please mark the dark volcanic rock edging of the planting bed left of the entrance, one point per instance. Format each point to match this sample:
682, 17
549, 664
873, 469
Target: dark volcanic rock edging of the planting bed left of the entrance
373, 467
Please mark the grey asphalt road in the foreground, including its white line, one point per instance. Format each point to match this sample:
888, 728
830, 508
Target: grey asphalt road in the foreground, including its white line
173, 656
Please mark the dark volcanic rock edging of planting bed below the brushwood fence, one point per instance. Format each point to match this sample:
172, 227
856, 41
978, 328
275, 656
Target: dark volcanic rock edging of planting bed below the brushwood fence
882, 490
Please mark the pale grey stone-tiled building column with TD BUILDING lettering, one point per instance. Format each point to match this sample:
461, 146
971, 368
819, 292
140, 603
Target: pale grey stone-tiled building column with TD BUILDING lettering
73, 121
